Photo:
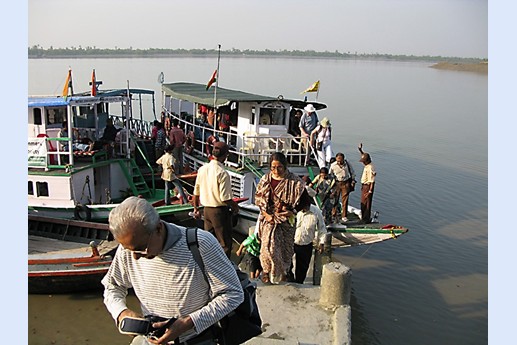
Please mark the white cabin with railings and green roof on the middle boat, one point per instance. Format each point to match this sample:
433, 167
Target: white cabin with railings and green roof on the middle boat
253, 125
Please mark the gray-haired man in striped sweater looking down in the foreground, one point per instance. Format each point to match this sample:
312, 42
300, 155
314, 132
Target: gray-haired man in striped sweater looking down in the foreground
151, 250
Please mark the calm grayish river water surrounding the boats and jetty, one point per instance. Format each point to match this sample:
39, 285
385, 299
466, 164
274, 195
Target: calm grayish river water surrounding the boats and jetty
426, 131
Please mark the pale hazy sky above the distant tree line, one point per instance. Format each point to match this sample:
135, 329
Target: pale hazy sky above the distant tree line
417, 27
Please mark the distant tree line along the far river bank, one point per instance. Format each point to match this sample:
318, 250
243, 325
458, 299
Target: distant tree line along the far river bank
38, 52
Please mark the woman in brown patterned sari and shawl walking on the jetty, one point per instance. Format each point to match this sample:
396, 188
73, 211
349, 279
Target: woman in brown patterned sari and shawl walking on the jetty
278, 195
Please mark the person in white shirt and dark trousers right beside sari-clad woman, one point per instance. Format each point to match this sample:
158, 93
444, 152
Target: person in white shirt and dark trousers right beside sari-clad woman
310, 233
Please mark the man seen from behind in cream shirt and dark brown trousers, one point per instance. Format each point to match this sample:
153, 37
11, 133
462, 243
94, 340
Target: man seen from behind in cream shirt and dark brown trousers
213, 189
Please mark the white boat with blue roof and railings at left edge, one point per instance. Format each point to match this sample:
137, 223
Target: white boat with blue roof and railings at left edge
66, 170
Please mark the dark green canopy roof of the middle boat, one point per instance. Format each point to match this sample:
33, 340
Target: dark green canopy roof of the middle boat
197, 93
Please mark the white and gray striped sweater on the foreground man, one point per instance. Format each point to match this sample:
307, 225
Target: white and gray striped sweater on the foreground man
172, 284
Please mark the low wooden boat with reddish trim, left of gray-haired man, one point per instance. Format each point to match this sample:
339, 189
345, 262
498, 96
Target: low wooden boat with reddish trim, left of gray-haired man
67, 255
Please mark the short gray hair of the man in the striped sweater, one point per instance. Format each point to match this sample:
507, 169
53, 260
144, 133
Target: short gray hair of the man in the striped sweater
133, 212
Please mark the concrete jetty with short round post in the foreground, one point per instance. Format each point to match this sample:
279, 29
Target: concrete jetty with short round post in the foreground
305, 313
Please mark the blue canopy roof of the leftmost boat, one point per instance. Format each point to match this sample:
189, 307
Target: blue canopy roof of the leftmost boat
56, 101
